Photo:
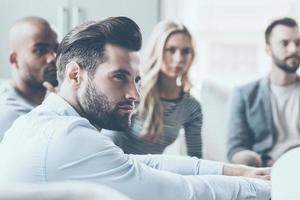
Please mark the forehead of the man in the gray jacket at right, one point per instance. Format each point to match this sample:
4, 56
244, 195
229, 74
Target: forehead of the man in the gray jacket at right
281, 32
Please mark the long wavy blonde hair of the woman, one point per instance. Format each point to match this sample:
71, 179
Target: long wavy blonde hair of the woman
150, 108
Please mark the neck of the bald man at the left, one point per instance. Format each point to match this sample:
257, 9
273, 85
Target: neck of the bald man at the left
33, 95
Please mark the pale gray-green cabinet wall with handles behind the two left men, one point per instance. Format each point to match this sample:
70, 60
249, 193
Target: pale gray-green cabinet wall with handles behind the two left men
65, 14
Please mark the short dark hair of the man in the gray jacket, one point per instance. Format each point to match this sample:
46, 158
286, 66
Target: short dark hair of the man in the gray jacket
286, 21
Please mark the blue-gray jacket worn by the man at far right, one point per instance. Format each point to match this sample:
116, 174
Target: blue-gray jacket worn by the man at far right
251, 123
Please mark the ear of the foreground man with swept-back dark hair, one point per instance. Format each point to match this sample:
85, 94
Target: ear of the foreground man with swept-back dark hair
73, 73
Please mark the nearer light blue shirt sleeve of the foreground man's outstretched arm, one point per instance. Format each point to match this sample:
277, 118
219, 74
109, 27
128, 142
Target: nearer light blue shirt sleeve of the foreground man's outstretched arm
84, 154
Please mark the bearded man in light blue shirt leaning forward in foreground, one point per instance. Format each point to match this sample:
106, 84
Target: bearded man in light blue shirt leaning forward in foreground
61, 140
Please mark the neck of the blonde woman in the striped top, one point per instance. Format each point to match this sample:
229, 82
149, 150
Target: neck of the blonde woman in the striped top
168, 88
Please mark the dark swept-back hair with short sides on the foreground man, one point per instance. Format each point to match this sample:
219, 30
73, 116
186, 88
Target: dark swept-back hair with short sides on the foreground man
85, 43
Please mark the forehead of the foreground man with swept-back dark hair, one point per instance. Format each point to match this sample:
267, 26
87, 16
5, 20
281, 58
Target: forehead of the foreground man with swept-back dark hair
119, 58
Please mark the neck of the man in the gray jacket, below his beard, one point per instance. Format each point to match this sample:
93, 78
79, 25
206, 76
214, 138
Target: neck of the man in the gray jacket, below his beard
282, 78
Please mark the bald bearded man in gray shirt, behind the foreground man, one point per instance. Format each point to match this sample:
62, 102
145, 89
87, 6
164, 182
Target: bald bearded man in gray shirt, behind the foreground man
32, 46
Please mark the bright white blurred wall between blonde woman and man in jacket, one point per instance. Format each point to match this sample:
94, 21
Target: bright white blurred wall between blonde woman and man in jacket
229, 35
